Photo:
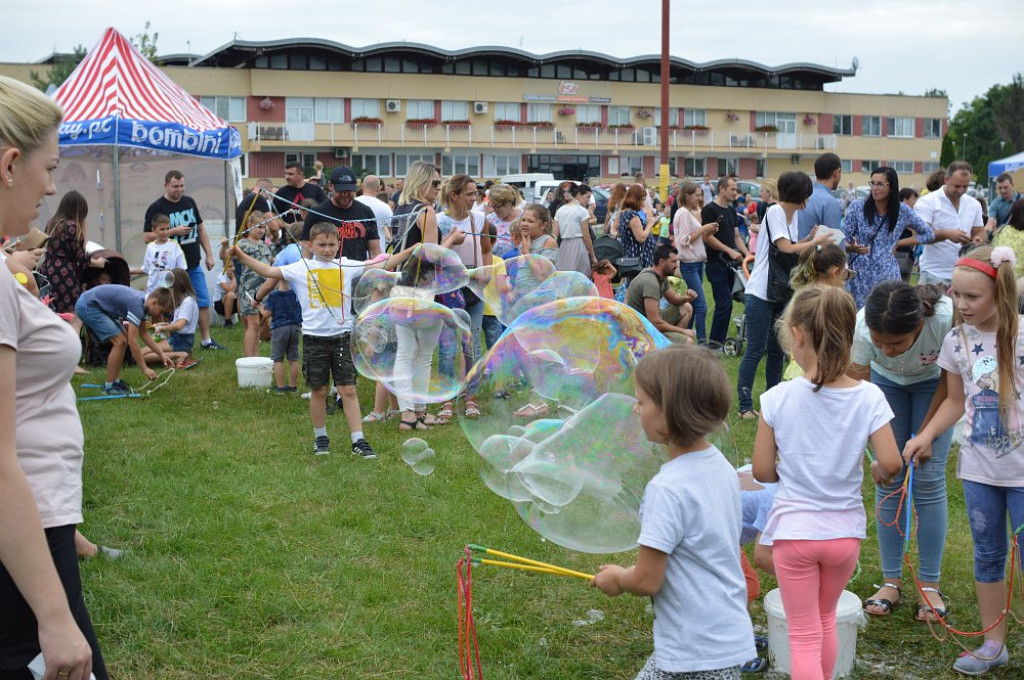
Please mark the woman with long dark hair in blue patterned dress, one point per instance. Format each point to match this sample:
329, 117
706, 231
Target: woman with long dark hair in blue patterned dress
873, 228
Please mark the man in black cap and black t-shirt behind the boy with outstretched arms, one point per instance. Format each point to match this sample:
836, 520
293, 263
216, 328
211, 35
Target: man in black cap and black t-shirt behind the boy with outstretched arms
357, 224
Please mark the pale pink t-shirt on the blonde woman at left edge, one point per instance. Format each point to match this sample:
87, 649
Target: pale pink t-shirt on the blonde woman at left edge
50, 431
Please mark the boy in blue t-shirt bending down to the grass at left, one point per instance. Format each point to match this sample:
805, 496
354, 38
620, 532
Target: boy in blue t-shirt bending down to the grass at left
102, 309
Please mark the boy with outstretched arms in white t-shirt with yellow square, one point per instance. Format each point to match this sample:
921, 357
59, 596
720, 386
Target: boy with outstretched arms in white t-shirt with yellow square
324, 287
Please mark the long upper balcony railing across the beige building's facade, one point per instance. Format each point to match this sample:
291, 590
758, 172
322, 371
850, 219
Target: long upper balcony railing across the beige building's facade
263, 136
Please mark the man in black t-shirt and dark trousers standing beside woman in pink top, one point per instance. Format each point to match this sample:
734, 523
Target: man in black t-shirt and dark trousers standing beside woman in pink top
724, 247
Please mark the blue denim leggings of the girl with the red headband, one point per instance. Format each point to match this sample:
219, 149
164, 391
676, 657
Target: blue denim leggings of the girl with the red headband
987, 511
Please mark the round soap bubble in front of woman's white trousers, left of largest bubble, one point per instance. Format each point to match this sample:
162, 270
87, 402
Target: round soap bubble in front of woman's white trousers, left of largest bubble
396, 342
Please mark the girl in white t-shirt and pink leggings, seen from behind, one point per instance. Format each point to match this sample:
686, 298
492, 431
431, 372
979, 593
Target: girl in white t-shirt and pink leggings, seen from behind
820, 424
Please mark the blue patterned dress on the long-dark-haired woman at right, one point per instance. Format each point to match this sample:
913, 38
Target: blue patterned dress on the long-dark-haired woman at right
878, 265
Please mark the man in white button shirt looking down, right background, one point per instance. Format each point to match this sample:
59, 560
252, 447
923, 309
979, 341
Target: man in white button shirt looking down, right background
950, 208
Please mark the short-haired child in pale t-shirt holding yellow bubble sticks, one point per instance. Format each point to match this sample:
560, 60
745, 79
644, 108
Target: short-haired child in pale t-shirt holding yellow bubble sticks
690, 525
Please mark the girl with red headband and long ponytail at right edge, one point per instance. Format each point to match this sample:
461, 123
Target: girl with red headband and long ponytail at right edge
984, 360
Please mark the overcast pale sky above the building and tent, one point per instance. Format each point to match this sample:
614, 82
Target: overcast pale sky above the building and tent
903, 46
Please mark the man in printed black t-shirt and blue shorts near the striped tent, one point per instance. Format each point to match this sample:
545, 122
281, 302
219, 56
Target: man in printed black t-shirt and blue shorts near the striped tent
188, 230
